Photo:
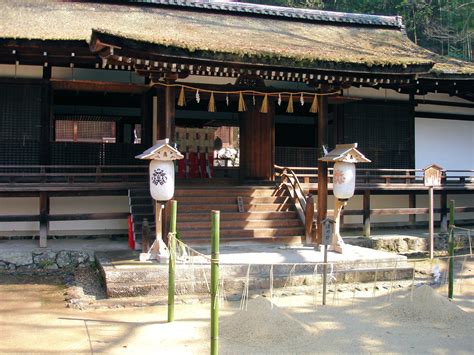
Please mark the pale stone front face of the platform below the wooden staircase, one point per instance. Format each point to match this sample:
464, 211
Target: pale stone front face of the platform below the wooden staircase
125, 277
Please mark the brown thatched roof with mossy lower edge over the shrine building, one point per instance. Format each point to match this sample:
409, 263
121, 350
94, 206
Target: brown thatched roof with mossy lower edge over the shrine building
226, 35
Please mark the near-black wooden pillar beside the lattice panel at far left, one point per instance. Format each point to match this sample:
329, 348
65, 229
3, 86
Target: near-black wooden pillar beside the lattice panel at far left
45, 130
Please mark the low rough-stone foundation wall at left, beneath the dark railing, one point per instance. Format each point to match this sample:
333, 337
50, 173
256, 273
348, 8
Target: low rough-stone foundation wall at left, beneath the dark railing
45, 259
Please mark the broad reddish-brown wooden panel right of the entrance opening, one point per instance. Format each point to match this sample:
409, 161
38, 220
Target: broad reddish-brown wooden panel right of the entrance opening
257, 142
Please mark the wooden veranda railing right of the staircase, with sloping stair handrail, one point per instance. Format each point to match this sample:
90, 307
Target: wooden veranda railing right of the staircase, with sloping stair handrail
377, 181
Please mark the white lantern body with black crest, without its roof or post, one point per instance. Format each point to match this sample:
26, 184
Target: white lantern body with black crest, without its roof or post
162, 179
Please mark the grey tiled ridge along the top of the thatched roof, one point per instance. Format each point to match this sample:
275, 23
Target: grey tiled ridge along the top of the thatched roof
276, 11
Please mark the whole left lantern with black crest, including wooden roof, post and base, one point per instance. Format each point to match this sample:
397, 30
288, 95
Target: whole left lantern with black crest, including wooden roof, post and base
162, 178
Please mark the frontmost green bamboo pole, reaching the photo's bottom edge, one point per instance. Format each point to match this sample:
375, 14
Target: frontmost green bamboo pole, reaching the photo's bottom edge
215, 219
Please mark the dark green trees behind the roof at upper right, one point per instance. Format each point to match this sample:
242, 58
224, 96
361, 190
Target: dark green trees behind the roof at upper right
444, 26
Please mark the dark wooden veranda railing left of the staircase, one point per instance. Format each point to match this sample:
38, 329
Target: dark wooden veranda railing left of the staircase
67, 180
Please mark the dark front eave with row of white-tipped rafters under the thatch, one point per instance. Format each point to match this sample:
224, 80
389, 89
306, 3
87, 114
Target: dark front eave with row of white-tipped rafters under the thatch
155, 60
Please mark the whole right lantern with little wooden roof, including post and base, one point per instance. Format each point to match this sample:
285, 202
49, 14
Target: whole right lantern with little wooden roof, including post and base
344, 157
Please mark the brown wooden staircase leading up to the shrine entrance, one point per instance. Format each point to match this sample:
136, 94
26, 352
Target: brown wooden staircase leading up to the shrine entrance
264, 215
